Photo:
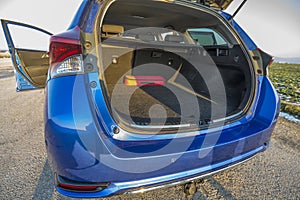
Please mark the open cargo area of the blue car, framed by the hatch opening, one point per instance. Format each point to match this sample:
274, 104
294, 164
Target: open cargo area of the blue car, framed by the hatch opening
168, 66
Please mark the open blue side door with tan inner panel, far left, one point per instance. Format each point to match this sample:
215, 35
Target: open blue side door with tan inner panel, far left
28, 47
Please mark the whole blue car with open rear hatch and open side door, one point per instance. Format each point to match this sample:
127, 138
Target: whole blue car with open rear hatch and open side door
146, 94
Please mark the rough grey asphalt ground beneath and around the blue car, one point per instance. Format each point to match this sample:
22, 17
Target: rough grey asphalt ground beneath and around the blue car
25, 173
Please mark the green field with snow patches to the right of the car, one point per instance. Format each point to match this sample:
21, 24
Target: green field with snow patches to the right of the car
286, 79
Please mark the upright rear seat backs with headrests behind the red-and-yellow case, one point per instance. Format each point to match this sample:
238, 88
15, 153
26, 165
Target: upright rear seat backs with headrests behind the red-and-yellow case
145, 57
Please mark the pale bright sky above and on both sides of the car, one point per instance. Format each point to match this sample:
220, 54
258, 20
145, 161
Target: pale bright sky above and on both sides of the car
272, 24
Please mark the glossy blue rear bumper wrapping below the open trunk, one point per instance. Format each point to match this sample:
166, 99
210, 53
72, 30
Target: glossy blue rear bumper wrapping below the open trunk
81, 149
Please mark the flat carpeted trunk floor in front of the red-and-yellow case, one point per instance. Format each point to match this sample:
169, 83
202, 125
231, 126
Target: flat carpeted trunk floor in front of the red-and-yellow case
165, 105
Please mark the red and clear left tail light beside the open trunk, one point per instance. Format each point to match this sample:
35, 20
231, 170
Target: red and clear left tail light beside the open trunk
65, 57
